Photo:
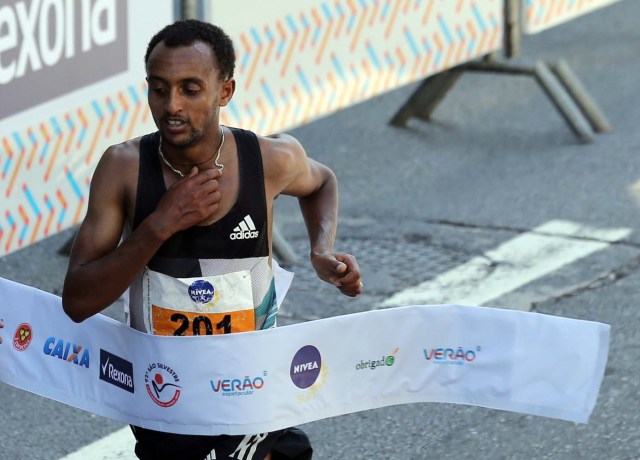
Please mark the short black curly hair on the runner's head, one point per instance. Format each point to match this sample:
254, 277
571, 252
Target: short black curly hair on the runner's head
188, 31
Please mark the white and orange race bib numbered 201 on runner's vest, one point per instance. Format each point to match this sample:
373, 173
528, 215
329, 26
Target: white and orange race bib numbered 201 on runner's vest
207, 305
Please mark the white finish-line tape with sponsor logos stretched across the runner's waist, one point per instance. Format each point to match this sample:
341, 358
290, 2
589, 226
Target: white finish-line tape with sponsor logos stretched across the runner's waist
266, 380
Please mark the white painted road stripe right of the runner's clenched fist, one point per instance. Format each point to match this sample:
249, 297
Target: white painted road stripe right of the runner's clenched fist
511, 265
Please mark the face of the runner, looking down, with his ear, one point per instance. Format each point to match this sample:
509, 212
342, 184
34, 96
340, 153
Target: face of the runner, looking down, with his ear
185, 93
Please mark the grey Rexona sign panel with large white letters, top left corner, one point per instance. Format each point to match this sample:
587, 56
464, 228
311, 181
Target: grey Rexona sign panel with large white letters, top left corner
51, 47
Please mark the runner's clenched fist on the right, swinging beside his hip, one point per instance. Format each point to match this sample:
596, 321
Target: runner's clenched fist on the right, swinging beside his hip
341, 270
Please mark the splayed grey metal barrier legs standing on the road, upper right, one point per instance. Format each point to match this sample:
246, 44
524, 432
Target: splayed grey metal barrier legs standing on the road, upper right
559, 83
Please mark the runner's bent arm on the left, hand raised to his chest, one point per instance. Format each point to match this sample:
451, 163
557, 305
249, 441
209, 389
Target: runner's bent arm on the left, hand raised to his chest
100, 269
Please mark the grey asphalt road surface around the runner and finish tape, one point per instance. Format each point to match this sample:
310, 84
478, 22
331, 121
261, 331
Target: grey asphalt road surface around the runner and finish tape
497, 160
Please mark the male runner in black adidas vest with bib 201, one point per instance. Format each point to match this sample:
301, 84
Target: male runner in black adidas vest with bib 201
195, 200
